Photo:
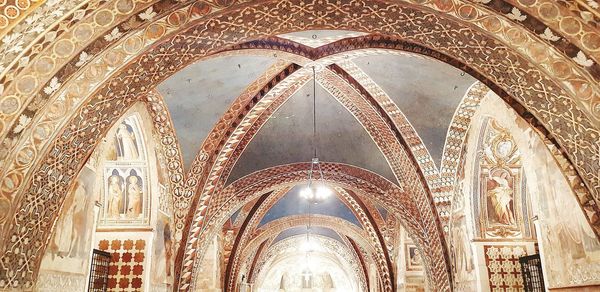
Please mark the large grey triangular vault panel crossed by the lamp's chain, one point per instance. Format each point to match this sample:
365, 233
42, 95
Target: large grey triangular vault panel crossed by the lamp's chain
287, 137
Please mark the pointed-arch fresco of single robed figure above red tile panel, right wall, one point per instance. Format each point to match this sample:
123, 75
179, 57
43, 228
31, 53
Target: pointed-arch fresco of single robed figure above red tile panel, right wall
500, 208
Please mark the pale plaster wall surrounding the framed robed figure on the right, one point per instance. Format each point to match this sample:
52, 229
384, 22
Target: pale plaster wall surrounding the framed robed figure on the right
569, 250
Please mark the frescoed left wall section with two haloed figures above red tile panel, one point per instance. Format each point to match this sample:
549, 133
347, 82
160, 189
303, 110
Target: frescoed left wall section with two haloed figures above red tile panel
128, 188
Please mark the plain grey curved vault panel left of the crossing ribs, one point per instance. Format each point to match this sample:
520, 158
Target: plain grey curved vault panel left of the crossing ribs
198, 95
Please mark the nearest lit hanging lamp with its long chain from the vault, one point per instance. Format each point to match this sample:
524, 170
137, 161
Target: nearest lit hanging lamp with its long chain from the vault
316, 189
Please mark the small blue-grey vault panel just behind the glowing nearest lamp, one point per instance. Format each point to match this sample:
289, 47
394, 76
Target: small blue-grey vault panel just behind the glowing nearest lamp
292, 204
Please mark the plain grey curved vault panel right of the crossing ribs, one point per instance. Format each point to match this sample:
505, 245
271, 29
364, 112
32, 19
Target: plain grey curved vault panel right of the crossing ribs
426, 91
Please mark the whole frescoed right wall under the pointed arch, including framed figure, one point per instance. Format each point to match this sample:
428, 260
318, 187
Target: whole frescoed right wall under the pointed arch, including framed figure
521, 179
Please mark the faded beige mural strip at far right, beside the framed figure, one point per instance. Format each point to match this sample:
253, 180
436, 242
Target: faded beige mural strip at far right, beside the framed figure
569, 246
